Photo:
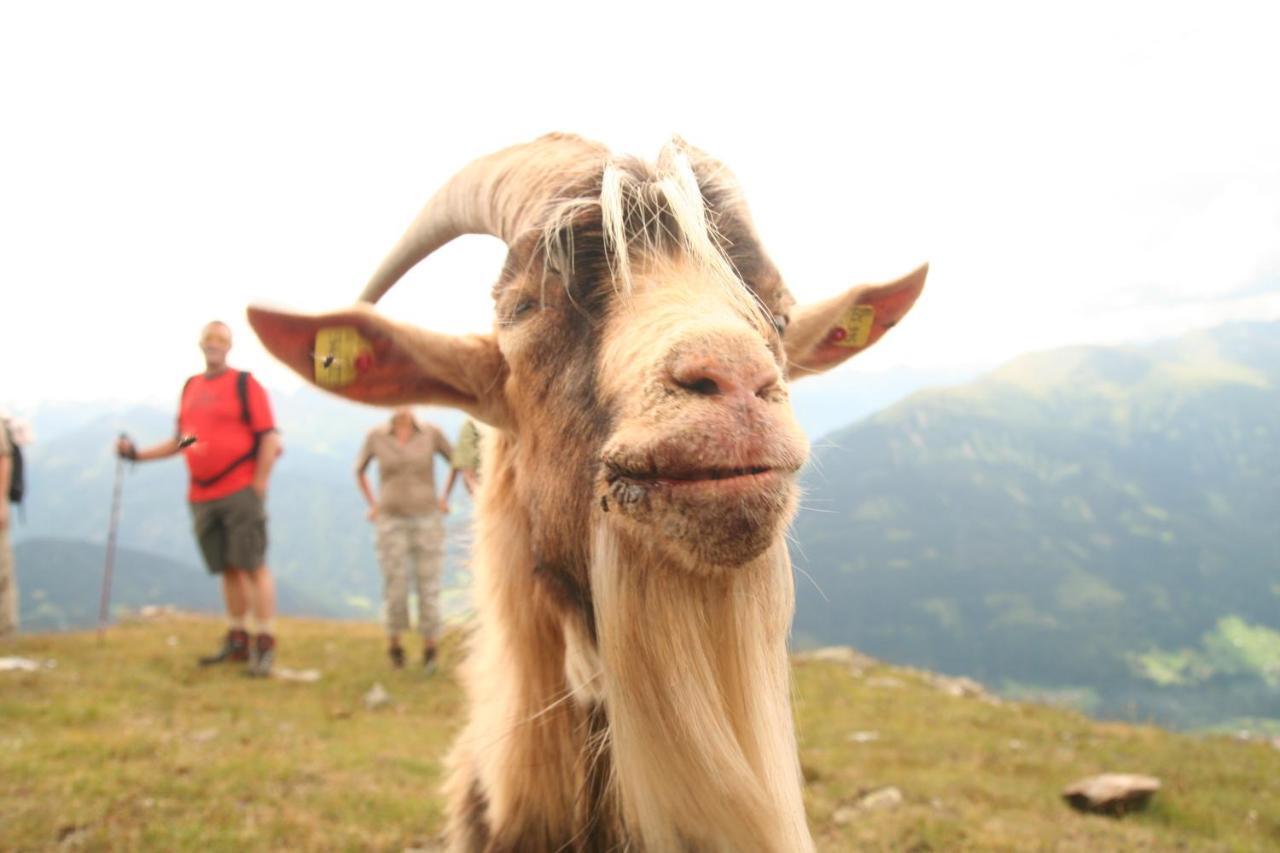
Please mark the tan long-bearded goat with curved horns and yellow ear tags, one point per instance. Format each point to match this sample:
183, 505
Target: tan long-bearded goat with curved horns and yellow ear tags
628, 673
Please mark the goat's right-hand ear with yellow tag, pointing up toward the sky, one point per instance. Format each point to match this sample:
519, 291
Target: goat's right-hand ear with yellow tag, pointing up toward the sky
826, 334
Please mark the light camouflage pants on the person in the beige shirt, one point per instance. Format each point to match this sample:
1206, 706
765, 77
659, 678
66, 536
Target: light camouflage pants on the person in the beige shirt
412, 550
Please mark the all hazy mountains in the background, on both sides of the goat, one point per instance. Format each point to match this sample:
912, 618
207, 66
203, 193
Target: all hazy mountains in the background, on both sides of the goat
1095, 524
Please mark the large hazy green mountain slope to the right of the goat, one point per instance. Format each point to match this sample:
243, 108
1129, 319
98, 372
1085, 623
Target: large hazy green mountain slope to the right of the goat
1095, 523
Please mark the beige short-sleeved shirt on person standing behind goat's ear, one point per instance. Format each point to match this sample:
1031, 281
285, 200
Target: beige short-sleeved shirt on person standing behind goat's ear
406, 473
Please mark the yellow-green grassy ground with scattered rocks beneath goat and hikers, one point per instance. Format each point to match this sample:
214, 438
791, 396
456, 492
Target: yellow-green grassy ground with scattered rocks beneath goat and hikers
129, 746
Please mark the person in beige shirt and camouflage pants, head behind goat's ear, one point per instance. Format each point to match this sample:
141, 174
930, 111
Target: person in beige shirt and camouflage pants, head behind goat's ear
410, 526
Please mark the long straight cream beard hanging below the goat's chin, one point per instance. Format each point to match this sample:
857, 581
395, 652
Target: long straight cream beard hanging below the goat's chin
698, 688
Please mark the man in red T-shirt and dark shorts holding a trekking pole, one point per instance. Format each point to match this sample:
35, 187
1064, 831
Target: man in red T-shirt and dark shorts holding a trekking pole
236, 445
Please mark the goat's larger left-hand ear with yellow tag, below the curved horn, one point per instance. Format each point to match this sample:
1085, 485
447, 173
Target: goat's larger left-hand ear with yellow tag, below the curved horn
365, 357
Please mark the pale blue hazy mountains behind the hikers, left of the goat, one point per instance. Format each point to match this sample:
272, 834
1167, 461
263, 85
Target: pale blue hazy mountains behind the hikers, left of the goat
321, 541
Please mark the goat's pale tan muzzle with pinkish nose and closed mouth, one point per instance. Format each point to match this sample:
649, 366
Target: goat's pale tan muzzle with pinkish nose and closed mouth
703, 448
